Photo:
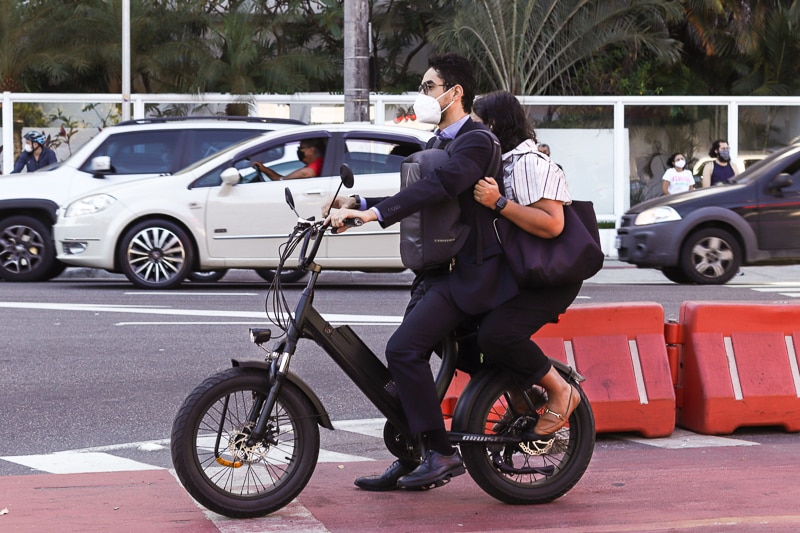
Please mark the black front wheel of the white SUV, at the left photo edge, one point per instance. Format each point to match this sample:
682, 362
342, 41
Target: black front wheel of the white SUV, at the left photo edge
27, 250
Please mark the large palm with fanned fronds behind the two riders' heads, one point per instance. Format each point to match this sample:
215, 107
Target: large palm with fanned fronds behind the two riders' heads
535, 46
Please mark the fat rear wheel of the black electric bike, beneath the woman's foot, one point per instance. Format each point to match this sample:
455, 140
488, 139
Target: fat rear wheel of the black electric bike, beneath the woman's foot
511, 473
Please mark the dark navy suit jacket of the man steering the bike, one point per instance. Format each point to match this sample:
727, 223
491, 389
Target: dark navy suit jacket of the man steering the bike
481, 280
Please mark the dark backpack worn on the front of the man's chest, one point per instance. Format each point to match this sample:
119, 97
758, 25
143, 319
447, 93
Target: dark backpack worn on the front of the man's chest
432, 236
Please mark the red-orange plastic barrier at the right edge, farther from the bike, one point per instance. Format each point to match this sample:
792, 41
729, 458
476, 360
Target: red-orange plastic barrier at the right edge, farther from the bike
739, 366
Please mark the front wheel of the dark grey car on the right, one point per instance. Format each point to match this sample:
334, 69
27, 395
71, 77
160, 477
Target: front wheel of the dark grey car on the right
711, 256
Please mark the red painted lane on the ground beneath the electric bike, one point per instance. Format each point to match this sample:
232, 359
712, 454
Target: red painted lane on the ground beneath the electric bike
635, 489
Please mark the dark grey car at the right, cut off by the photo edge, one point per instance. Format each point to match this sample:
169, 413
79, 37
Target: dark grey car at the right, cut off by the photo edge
704, 236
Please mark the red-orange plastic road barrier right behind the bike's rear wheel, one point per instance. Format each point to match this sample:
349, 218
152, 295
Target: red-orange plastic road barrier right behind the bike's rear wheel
621, 351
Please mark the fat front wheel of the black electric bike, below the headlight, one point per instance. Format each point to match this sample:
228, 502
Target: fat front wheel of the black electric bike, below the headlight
237, 481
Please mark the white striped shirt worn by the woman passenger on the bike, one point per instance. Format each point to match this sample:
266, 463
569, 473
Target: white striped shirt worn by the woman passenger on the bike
529, 176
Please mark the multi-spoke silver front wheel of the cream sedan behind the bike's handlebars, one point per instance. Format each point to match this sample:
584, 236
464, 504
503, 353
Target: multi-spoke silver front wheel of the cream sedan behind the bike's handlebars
156, 254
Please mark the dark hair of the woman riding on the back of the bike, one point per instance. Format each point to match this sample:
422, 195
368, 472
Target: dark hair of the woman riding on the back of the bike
504, 115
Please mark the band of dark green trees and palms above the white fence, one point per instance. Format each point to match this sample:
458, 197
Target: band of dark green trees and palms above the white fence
625, 47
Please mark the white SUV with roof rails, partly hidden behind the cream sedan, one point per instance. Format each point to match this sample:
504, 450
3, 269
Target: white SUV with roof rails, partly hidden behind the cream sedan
133, 150
